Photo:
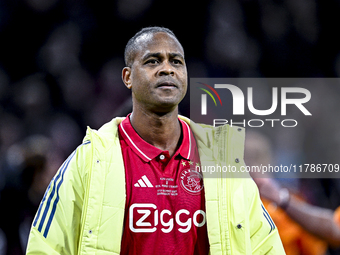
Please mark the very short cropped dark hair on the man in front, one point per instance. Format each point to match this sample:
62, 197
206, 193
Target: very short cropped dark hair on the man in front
131, 46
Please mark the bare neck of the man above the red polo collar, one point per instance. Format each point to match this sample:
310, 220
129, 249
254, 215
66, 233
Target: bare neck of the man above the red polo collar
160, 130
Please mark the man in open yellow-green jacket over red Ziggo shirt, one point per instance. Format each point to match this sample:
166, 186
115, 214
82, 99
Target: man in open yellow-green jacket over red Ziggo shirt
131, 187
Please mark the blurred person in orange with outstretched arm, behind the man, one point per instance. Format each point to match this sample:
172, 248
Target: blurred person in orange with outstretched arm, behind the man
303, 228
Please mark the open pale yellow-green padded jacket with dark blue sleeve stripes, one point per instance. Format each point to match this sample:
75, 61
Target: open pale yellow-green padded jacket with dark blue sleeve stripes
82, 211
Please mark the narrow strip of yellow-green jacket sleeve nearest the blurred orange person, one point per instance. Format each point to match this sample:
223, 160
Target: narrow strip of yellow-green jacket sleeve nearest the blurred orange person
265, 237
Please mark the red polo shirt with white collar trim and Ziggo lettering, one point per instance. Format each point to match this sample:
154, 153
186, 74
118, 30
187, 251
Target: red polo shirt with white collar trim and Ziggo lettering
165, 205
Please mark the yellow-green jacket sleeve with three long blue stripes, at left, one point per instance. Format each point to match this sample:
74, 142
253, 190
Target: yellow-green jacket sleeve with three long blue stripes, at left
57, 223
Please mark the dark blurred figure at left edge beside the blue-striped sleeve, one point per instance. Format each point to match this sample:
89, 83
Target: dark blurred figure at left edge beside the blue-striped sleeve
28, 167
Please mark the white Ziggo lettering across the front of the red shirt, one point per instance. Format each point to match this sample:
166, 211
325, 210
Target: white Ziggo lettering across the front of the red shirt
142, 225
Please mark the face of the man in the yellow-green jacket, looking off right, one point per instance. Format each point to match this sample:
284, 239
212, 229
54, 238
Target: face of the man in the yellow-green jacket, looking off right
158, 75
